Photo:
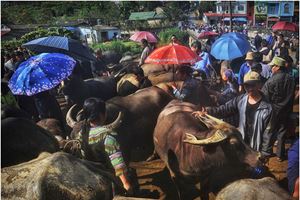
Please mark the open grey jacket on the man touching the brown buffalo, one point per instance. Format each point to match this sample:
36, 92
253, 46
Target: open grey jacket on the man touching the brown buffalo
261, 126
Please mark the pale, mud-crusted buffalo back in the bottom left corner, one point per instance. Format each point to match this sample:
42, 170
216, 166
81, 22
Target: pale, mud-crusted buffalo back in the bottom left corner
57, 176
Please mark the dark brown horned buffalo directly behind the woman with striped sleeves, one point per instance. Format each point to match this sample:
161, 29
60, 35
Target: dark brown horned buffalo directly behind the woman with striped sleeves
140, 111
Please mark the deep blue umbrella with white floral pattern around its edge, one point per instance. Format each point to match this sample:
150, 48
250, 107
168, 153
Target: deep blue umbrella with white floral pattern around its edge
40, 73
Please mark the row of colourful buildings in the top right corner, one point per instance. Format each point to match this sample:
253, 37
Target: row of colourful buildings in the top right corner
254, 12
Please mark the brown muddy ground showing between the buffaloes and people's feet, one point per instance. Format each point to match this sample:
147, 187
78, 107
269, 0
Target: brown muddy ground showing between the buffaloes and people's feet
155, 182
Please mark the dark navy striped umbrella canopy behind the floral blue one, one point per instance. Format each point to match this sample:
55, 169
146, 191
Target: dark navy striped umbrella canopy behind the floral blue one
58, 44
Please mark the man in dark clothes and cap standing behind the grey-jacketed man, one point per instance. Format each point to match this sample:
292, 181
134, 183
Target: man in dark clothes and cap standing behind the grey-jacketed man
279, 90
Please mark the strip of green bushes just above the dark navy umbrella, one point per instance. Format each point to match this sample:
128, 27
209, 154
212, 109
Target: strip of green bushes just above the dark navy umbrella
13, 44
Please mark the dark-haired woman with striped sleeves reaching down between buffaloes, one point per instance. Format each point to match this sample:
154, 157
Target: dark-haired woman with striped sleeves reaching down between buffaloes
99, 142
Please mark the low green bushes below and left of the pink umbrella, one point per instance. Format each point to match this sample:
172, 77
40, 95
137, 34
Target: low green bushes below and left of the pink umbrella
119, 47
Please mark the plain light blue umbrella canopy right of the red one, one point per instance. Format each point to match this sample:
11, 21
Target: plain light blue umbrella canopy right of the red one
230, 46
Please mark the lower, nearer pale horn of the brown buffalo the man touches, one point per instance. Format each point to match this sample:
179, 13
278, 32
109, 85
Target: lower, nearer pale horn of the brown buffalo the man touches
218, 136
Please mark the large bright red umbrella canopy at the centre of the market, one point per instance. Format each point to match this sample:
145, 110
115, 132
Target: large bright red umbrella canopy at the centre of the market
172, 54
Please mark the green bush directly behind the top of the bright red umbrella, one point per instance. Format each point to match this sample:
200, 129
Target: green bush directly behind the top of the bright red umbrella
166, 34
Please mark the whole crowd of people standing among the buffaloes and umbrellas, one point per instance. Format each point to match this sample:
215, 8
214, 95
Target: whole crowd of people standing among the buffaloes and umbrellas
258, 98
